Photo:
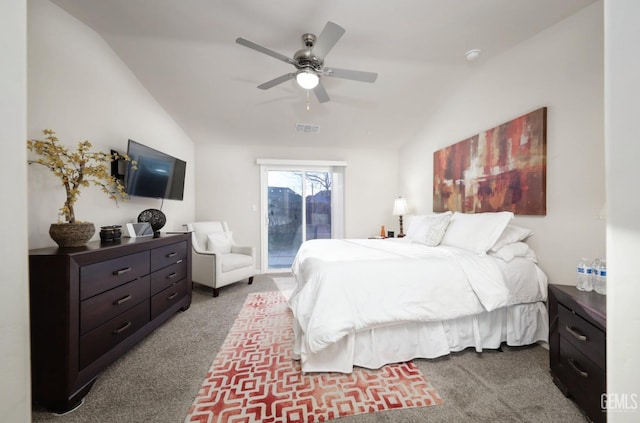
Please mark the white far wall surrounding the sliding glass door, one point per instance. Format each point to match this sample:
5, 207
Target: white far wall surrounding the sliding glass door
228, 185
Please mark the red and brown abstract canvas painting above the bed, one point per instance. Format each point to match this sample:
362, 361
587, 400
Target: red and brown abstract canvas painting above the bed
503, 168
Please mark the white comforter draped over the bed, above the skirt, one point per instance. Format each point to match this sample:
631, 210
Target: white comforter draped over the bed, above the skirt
343, 286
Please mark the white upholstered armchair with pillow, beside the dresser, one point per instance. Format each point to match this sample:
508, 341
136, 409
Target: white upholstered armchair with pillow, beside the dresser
216, 260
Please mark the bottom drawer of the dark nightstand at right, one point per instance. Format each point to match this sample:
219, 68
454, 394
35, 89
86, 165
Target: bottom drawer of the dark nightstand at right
586, 380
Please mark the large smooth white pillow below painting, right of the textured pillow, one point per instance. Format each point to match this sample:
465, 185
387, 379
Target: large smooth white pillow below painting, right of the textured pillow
476, 232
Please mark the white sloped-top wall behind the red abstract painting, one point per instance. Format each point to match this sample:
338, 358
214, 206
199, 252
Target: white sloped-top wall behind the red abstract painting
560, 68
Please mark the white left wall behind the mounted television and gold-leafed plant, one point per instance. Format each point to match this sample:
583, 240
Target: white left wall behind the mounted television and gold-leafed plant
79, 87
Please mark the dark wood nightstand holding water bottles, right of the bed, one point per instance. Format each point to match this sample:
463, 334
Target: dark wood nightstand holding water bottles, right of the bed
577, 346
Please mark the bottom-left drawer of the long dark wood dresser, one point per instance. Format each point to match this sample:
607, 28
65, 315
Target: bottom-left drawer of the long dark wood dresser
106, 336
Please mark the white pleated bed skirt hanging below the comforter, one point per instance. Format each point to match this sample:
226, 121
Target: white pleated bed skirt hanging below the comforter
517, 325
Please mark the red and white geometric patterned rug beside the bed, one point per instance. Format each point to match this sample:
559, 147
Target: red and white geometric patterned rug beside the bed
254, 379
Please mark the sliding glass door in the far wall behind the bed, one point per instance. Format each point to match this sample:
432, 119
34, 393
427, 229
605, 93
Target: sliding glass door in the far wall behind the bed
299, 204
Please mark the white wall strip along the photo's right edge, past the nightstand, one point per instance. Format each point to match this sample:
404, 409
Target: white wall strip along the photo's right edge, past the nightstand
622, 100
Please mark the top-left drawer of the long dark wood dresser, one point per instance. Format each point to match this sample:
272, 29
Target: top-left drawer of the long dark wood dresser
99, 277
